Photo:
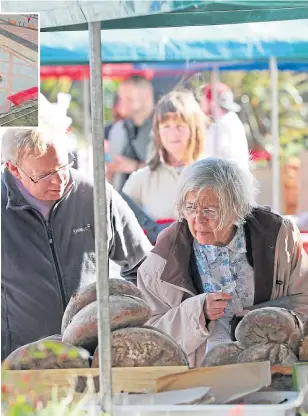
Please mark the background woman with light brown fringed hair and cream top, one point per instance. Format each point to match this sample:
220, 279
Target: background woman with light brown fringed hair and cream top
179, 130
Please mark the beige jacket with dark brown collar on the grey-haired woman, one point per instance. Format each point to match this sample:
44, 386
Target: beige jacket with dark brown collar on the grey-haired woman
173, 289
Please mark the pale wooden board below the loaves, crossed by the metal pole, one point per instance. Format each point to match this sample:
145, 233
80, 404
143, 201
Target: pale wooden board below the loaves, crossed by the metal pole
133, 379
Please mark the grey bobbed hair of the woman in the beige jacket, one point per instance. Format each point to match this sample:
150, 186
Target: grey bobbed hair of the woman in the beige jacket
235, 188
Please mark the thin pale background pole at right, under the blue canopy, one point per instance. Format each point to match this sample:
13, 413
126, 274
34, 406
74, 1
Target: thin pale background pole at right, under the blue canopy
275, 136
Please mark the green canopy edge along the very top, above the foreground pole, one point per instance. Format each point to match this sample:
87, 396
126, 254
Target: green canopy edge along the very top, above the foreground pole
129, 14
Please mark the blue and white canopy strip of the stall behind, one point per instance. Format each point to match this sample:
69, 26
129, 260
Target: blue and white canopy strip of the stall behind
240, 42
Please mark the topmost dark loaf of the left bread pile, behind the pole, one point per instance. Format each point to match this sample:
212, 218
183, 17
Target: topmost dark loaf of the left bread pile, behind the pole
87, 295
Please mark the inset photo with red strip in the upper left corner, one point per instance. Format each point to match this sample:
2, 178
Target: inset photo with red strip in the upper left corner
19, 69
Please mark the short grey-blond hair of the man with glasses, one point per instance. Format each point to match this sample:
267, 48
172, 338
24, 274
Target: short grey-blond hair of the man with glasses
18, 141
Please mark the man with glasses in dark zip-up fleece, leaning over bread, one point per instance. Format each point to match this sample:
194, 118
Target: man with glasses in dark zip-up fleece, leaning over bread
48, 248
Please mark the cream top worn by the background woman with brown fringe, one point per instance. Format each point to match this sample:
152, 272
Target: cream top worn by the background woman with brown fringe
154, 190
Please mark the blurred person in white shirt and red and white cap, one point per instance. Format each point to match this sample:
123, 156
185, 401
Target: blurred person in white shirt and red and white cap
226, 137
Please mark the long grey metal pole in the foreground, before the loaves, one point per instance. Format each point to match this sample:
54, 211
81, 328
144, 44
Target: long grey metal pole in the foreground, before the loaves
100, 210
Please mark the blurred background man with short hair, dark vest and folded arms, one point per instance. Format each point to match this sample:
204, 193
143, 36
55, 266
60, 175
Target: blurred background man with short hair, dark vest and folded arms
130, 139
